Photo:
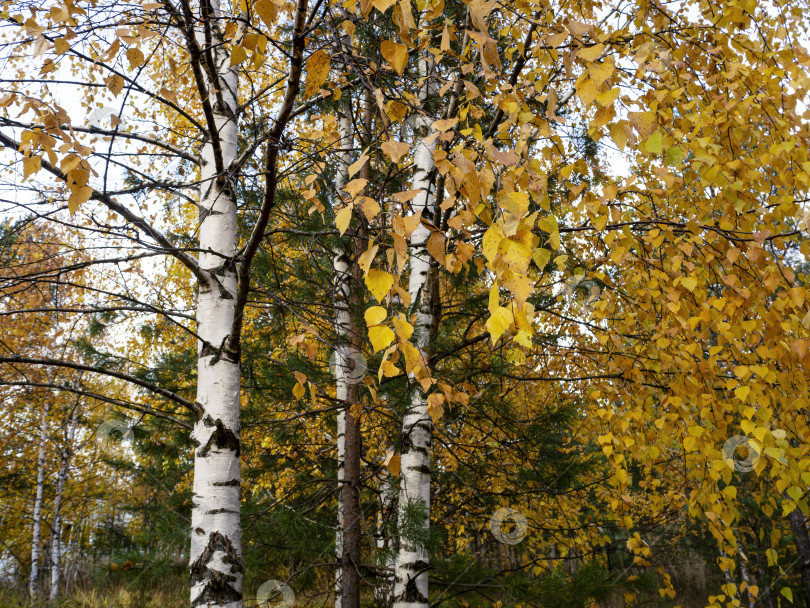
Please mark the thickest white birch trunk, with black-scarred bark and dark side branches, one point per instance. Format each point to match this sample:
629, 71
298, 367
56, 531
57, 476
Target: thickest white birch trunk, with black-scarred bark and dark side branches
216, 561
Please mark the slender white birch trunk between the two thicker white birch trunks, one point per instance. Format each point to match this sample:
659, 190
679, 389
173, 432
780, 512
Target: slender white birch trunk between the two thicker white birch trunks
343, 354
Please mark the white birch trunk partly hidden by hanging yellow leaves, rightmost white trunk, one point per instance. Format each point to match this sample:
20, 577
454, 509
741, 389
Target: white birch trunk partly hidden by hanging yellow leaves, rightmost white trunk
411, 578
